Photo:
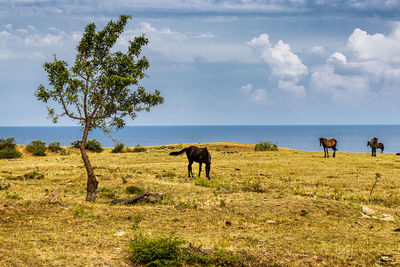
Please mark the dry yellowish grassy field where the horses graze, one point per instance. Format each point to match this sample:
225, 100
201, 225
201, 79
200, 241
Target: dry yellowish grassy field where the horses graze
284, 208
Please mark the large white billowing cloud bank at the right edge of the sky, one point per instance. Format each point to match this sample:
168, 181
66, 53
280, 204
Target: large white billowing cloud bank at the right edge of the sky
372, 68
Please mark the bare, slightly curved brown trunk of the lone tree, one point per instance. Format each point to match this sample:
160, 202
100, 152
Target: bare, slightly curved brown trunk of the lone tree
92, 181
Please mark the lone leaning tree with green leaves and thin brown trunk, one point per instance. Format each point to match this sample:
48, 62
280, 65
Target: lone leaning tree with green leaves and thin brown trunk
95, 90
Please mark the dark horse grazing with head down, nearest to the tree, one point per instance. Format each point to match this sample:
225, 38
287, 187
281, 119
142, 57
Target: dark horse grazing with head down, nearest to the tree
200, 155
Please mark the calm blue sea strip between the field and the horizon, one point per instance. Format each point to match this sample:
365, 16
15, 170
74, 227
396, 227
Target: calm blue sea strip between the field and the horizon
351, 138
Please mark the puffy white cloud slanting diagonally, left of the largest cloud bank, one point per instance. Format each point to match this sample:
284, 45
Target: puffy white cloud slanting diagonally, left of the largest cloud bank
285, 66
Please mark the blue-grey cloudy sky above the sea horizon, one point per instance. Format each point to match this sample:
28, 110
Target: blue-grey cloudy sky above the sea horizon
219, 62
